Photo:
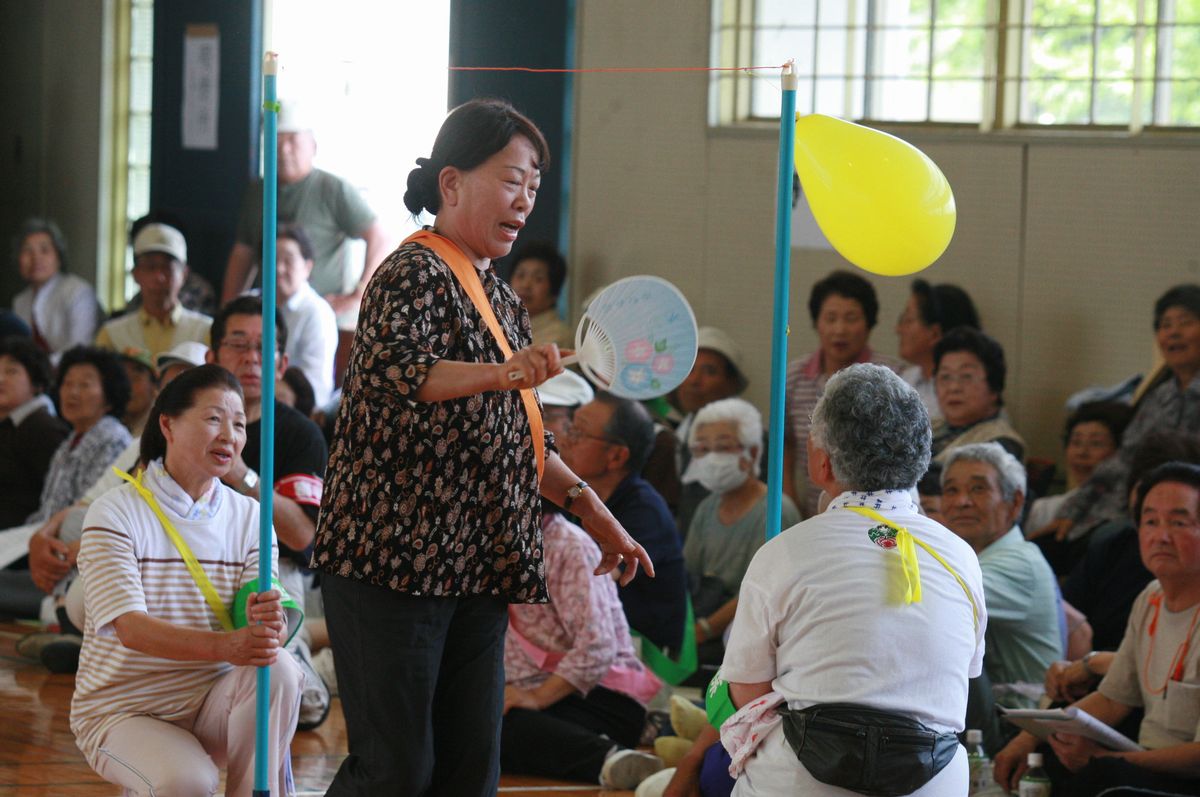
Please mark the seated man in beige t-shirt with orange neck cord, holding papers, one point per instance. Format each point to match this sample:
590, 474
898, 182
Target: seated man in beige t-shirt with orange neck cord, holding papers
1157, 667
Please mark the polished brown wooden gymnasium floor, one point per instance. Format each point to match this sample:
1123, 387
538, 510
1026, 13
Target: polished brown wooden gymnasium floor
39, 757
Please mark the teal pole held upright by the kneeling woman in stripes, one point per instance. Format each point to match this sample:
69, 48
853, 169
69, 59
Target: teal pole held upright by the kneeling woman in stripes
267, 433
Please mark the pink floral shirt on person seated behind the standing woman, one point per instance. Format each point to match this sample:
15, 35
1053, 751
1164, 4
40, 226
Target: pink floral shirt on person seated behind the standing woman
584, 620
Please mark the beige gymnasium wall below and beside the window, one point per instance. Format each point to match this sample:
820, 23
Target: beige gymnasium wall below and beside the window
1064, 241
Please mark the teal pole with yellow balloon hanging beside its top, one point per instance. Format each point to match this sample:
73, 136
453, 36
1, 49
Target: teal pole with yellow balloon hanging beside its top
783, 286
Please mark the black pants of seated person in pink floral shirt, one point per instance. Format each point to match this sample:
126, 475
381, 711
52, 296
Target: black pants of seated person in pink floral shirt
571, 739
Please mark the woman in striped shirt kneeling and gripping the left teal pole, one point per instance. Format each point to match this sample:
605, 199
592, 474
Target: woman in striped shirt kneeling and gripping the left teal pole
166, 687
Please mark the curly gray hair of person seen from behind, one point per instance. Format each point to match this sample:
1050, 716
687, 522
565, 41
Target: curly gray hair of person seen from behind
874, 428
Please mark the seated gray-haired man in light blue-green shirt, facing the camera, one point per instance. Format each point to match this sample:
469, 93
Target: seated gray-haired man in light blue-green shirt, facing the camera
983, 494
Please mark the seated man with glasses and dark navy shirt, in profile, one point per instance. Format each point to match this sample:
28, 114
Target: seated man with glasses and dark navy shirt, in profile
607, 445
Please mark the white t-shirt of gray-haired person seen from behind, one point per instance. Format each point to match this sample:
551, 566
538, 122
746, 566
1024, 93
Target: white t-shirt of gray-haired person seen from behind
821, 618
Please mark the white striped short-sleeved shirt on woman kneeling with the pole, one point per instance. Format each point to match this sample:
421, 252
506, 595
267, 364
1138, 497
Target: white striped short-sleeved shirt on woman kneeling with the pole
130, 565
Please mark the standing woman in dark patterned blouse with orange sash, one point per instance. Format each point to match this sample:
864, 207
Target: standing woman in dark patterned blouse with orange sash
430, 522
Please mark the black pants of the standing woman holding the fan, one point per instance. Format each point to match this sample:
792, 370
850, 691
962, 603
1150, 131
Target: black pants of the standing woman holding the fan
422, 682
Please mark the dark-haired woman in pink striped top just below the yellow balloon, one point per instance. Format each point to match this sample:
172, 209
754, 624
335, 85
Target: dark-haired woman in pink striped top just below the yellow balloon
844, 310
